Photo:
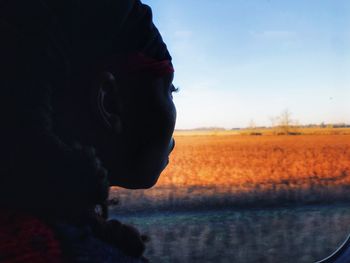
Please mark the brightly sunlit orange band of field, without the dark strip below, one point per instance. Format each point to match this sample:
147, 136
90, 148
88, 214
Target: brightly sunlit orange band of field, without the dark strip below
246, 161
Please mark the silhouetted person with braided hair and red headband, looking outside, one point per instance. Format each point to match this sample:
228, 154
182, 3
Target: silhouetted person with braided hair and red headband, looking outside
86, 102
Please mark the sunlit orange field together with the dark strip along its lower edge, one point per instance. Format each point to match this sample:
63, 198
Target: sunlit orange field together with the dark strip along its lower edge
234, 169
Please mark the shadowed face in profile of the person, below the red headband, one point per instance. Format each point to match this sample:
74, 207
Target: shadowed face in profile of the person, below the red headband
137, 150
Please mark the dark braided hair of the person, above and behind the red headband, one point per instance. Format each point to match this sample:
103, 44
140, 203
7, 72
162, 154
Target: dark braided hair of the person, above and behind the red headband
44, 46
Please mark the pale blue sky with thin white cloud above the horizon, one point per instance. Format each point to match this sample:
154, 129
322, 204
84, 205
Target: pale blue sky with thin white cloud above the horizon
239, 62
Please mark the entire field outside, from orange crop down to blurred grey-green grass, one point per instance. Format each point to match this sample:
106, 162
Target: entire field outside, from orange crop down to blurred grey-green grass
247, 198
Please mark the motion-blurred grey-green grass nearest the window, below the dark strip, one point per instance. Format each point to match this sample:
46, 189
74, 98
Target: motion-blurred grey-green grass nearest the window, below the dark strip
288, 235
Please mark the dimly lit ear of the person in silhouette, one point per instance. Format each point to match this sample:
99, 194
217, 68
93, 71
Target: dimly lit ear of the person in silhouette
106, 102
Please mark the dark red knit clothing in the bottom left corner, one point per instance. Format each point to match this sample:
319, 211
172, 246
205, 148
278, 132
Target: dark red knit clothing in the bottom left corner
24, 238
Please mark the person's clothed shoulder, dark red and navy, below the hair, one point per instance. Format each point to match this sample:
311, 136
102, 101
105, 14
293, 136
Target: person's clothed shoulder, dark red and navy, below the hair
25, 238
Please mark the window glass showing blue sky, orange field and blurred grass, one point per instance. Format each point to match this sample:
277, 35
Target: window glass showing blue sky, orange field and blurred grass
261, 168
